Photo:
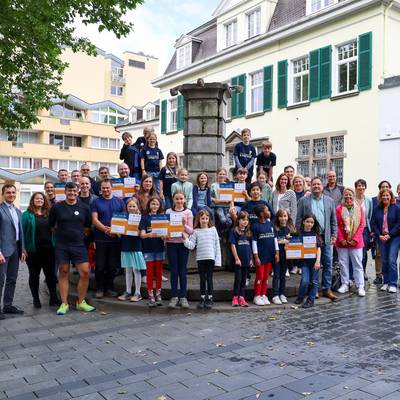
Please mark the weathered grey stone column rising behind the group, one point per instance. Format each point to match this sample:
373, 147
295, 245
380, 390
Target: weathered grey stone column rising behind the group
204, 126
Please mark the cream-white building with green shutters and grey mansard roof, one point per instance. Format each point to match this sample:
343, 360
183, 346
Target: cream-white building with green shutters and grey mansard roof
319, 78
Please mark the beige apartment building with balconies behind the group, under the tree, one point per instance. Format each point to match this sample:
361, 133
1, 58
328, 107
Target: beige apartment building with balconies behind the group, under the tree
99, 91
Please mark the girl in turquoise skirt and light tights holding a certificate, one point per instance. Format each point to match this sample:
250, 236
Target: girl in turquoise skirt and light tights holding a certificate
131, 253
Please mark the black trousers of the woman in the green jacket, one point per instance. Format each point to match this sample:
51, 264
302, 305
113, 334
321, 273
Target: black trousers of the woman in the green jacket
43, 258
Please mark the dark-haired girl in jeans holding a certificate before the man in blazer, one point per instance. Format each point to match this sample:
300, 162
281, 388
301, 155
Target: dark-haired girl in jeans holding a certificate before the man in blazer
309, 229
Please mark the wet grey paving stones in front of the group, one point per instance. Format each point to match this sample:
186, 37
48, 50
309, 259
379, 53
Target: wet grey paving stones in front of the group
347, 351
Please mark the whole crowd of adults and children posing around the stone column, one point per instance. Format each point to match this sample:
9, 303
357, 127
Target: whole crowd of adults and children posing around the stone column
341, 224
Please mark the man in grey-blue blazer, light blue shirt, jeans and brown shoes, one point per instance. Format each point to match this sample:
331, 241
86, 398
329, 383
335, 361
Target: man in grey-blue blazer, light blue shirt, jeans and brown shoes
323, 207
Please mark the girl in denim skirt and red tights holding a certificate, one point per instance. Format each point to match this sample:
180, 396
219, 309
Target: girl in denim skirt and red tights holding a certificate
153, 251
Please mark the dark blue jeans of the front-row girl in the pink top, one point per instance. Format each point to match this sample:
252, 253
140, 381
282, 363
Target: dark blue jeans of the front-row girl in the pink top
178, 256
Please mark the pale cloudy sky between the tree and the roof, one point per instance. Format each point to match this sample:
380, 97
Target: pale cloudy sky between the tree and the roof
157, 25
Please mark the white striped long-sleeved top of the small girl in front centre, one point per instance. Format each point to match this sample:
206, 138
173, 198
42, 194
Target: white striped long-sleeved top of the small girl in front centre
207, 242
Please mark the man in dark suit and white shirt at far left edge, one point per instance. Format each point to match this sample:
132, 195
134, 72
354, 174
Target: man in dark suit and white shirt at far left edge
12, 248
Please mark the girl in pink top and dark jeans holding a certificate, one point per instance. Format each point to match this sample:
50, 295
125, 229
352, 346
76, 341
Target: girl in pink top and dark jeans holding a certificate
181, 220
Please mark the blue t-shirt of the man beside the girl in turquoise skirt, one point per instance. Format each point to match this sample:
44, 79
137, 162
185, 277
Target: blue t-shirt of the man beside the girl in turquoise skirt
105, 208
